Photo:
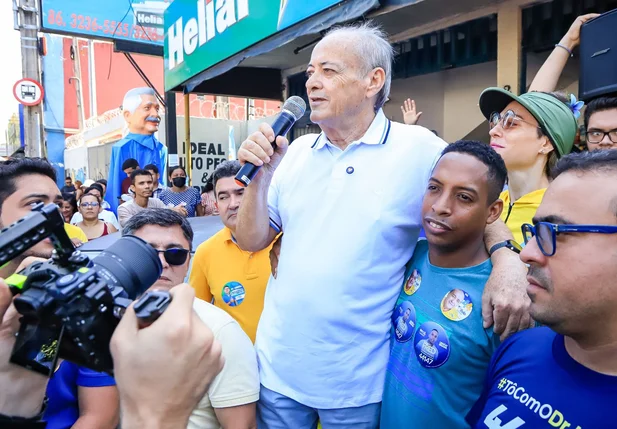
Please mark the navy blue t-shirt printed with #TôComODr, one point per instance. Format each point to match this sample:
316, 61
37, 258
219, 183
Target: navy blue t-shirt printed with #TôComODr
533, 382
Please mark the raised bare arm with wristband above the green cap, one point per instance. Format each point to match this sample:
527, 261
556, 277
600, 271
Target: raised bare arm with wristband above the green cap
547, 77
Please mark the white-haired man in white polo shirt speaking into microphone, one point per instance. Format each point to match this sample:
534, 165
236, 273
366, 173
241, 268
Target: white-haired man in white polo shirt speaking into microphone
349, 204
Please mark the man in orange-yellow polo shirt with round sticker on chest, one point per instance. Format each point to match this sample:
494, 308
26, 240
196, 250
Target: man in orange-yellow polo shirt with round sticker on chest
223, 274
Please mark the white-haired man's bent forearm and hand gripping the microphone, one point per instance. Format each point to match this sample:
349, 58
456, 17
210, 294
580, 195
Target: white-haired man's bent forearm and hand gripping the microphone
253, 230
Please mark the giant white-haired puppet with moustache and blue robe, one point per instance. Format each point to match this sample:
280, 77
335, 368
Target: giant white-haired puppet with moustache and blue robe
140, 109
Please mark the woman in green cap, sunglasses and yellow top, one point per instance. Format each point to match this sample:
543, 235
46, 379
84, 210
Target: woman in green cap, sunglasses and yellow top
530, 132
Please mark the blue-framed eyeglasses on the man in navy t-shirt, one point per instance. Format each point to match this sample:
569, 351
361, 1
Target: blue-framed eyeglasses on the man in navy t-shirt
546, 233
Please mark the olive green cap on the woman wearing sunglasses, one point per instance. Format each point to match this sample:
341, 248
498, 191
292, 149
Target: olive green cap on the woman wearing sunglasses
554, 116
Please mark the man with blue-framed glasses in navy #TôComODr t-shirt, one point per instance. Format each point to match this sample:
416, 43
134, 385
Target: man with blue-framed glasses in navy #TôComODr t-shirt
564, 375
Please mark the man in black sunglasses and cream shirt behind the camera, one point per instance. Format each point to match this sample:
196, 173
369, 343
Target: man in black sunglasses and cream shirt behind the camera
232, 395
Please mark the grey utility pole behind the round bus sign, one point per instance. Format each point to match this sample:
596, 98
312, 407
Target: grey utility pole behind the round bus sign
31, 68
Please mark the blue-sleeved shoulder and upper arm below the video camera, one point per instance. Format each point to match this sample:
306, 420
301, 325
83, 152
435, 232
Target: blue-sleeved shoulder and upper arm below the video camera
77, 395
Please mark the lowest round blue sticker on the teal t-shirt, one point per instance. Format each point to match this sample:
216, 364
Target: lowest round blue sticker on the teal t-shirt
432, 345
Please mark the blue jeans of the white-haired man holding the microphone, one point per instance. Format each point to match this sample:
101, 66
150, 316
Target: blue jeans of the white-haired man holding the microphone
276, 411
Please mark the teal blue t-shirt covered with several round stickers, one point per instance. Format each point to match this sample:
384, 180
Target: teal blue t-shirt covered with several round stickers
439, 348
